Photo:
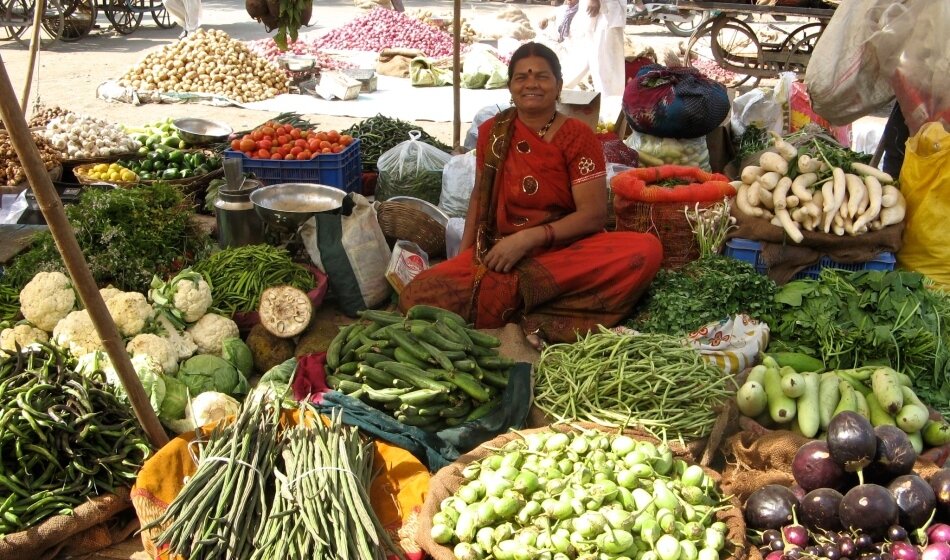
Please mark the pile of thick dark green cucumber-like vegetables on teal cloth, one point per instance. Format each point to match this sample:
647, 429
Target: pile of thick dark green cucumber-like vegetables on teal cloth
427, 369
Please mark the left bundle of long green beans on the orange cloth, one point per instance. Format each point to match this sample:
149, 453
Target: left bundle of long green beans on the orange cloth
223, 506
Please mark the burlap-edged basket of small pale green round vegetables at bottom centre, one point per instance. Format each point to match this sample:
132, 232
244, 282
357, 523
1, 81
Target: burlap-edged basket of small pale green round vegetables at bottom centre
503, 476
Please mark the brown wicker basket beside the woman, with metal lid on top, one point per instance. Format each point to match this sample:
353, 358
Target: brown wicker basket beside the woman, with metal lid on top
404, 218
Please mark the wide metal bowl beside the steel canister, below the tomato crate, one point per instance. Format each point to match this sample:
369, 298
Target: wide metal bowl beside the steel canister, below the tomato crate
289, 205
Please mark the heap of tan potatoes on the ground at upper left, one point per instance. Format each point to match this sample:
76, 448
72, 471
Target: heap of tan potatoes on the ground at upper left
208, 61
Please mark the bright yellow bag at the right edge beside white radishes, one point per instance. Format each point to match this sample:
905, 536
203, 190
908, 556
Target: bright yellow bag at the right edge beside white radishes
925, 183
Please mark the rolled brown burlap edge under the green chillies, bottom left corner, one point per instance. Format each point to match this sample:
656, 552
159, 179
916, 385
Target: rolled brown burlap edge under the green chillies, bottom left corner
93, 526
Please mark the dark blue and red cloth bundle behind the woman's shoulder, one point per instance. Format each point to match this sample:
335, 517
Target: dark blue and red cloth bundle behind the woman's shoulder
674, 102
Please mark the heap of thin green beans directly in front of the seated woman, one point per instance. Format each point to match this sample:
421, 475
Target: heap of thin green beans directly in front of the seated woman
652, 381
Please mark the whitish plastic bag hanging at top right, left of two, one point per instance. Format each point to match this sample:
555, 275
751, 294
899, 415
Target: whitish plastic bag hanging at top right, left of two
846, 77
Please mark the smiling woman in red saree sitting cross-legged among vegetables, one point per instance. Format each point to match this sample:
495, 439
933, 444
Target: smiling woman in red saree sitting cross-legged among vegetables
534, 250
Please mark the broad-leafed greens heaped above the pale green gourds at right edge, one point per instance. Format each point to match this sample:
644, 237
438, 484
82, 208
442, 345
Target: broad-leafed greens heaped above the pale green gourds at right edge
850, 319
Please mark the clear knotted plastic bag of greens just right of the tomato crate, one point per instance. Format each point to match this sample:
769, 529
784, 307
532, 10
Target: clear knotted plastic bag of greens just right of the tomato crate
411, 168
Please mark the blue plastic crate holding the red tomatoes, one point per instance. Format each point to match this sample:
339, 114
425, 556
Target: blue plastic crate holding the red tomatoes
343, 170
